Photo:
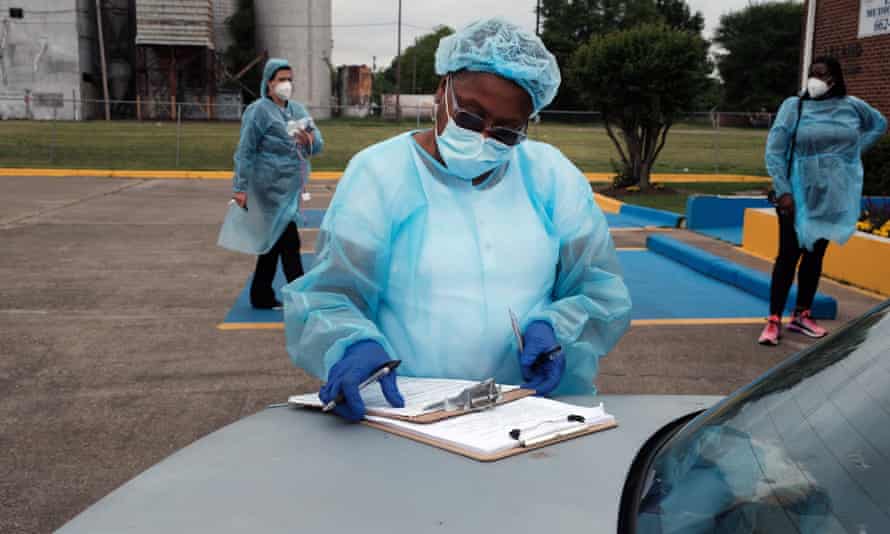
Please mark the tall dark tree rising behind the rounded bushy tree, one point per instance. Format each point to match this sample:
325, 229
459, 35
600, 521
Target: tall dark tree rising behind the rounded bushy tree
570, 22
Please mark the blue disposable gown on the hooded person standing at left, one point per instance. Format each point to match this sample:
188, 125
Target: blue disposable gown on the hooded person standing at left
271, 168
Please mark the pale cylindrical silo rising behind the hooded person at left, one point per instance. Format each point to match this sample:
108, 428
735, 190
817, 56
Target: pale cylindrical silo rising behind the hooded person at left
301, 32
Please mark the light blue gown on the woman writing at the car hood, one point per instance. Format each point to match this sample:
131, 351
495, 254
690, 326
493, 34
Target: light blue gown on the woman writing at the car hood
429, 266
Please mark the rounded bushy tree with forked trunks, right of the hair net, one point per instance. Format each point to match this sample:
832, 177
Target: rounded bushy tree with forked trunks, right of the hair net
640, 80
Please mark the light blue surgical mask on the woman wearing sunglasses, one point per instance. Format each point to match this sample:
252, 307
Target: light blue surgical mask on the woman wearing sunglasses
466, 153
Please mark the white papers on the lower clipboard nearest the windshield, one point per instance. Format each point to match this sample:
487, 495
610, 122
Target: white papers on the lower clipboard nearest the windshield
488, 432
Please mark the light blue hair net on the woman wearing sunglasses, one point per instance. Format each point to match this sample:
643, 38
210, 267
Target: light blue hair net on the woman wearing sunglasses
499, 47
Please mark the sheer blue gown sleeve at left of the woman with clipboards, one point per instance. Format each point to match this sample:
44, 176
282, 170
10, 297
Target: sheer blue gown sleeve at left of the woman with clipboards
334, 305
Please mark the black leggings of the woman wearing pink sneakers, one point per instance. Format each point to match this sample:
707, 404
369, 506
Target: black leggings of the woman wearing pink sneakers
786, 263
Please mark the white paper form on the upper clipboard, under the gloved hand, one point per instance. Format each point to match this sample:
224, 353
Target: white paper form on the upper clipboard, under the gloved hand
417, 392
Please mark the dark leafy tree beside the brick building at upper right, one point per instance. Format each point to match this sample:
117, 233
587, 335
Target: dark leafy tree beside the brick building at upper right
759, 64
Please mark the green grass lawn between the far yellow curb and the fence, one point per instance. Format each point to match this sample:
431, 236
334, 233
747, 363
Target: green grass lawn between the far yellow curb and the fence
691, 148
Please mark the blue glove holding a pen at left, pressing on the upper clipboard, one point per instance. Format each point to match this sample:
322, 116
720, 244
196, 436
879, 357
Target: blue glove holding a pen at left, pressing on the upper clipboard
357, 364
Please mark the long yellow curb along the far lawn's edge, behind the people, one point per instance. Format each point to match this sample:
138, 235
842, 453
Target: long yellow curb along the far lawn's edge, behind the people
332, 175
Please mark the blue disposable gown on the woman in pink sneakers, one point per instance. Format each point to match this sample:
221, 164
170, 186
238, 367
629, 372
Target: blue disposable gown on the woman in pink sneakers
826, 175
